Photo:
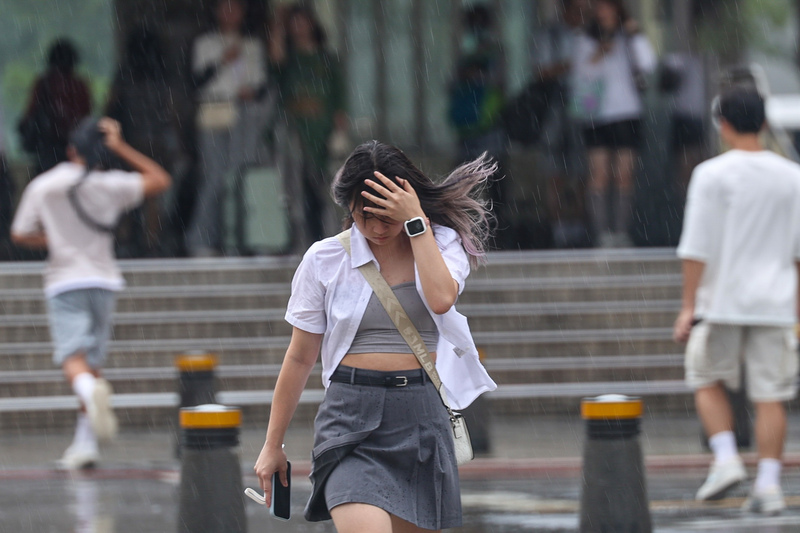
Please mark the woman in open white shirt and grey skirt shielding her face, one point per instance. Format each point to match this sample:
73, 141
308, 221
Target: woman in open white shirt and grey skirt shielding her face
383, 457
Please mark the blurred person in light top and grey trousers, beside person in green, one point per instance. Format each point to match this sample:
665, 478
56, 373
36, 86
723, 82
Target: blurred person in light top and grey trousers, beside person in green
229, 72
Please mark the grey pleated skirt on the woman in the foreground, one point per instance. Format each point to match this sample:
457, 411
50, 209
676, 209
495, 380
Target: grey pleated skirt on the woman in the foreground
388, 447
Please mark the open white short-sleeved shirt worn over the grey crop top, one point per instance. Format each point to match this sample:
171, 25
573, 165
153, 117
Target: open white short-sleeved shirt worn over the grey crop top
330, 296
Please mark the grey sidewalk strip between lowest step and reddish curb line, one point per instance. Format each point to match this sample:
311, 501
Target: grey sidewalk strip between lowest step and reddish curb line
518, 442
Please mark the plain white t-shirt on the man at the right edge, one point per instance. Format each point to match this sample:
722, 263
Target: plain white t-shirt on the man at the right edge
743, 221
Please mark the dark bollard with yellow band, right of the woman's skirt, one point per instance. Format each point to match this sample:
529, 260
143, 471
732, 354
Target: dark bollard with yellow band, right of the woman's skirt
614, 493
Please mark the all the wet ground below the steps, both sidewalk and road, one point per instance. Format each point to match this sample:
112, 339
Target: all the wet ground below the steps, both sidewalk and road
530, 482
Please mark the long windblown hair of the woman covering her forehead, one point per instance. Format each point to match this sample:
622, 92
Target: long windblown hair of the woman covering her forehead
456, 202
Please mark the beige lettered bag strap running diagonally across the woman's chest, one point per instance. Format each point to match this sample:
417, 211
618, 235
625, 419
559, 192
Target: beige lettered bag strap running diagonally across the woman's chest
399, 317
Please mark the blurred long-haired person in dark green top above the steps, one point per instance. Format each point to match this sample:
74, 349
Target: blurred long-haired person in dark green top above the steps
312, 94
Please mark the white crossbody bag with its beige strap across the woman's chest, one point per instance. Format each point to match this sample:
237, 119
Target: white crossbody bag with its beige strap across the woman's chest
461, 441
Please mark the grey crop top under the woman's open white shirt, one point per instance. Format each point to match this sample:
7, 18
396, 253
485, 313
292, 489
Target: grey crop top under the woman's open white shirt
377, 332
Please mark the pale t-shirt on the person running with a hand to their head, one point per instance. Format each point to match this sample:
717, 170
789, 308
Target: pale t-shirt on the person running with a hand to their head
79, 257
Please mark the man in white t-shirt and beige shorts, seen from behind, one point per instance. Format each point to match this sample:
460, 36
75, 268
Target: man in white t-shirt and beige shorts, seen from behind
741, 253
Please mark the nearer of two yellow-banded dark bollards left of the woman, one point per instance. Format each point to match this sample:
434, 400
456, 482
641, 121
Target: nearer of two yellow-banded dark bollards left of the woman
211, 492
